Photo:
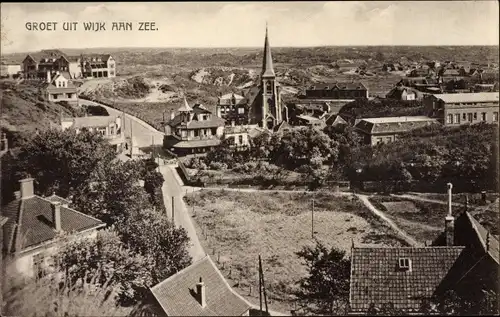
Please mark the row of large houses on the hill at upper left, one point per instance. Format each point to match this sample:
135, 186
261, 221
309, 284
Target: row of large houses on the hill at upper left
36, 65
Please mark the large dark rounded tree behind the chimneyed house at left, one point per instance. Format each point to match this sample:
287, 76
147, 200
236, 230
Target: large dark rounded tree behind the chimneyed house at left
62, 161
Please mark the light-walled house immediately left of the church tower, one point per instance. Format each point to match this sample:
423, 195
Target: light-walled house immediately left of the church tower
233, 107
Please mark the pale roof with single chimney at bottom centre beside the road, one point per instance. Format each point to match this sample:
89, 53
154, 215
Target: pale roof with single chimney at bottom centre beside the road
176, 294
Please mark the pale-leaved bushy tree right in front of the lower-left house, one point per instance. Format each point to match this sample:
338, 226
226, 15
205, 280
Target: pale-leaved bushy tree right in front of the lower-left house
112, 262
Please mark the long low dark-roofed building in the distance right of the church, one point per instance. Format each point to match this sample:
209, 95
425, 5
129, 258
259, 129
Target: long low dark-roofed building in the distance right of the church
338, 91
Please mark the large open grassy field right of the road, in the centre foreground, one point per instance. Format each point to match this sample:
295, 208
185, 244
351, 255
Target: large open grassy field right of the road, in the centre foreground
236, 227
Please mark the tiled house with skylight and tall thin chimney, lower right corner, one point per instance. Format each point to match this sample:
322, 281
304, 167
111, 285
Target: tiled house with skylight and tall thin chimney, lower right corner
464, 258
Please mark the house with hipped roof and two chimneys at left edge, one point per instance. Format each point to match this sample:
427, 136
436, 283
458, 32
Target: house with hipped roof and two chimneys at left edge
33, 227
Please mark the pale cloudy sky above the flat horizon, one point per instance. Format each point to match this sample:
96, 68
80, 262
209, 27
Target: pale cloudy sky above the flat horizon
242, 24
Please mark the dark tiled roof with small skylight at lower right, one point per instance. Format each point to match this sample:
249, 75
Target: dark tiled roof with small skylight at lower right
376, 277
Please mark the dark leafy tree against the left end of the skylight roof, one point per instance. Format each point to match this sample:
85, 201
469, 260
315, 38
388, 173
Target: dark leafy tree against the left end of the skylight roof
327, 285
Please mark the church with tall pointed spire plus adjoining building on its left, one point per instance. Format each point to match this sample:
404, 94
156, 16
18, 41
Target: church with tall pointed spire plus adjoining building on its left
260, 105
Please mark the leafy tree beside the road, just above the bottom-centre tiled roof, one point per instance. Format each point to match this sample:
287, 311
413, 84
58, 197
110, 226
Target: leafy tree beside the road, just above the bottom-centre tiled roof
152, 234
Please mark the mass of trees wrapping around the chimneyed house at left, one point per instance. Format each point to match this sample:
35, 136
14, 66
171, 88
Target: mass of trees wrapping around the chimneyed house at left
140, 246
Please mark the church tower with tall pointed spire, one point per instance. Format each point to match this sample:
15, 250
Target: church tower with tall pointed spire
271, 101
